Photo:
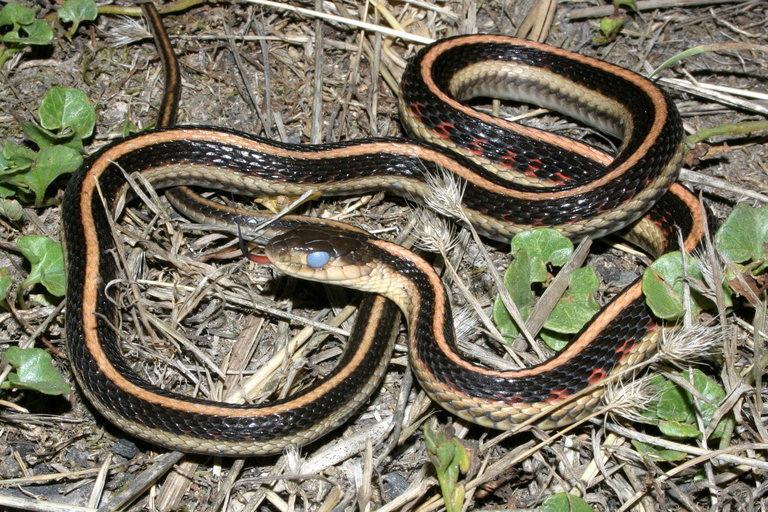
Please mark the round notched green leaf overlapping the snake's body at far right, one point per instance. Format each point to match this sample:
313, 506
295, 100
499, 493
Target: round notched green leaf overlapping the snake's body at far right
663, 286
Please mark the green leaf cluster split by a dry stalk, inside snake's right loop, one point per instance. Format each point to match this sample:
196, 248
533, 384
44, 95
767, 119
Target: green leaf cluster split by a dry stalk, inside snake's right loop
535, 253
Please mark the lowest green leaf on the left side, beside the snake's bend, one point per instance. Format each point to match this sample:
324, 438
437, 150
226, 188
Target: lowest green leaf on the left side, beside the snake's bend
34, 370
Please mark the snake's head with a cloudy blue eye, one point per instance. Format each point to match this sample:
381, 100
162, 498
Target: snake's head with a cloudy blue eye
325, 254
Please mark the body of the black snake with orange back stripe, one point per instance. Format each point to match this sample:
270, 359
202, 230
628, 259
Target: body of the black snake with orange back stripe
514, 177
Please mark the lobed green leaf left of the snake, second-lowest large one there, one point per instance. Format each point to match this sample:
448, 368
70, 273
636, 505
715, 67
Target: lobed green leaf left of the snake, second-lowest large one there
47, 261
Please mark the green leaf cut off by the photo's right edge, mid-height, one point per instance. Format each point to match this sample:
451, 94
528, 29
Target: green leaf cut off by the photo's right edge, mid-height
744, 235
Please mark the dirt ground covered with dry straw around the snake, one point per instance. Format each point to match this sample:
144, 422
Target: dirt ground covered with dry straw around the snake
252, 67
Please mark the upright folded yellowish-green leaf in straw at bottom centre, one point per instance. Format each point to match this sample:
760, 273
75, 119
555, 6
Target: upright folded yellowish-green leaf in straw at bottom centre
450, 458
